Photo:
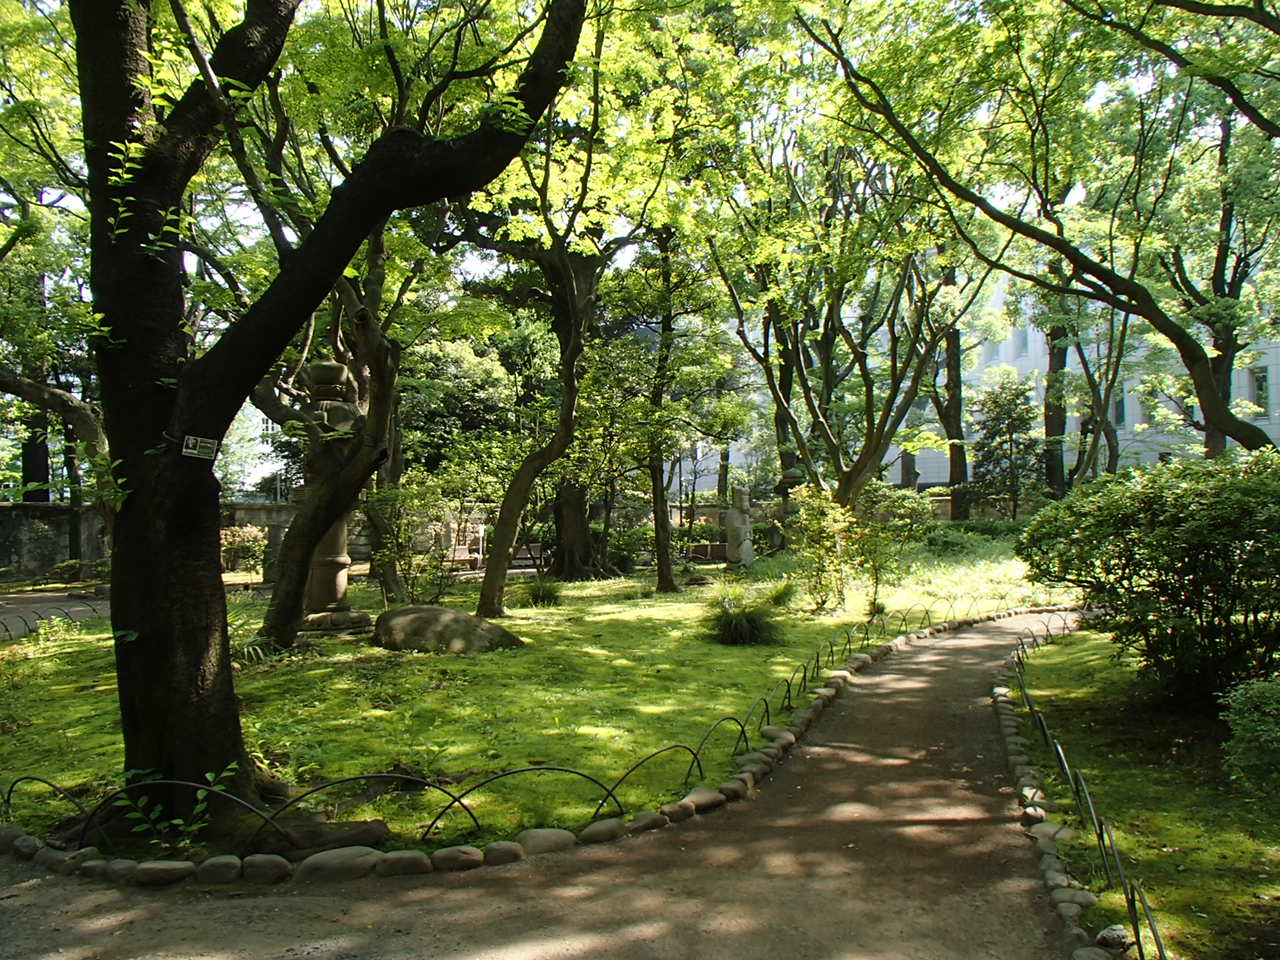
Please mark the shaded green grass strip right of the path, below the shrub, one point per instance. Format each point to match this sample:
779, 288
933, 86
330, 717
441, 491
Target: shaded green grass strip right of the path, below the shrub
1206, 853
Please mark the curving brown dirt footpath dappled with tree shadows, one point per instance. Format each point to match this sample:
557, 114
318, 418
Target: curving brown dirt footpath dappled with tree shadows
889, 834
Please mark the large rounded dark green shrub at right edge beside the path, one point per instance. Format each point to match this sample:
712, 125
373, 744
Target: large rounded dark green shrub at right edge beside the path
1183, 561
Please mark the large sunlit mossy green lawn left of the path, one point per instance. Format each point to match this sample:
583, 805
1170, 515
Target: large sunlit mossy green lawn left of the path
609, 676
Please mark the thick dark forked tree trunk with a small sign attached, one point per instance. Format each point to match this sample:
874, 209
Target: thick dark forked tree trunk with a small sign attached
166, 410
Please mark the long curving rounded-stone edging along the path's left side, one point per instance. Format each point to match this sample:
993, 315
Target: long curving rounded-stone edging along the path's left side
345, 863
